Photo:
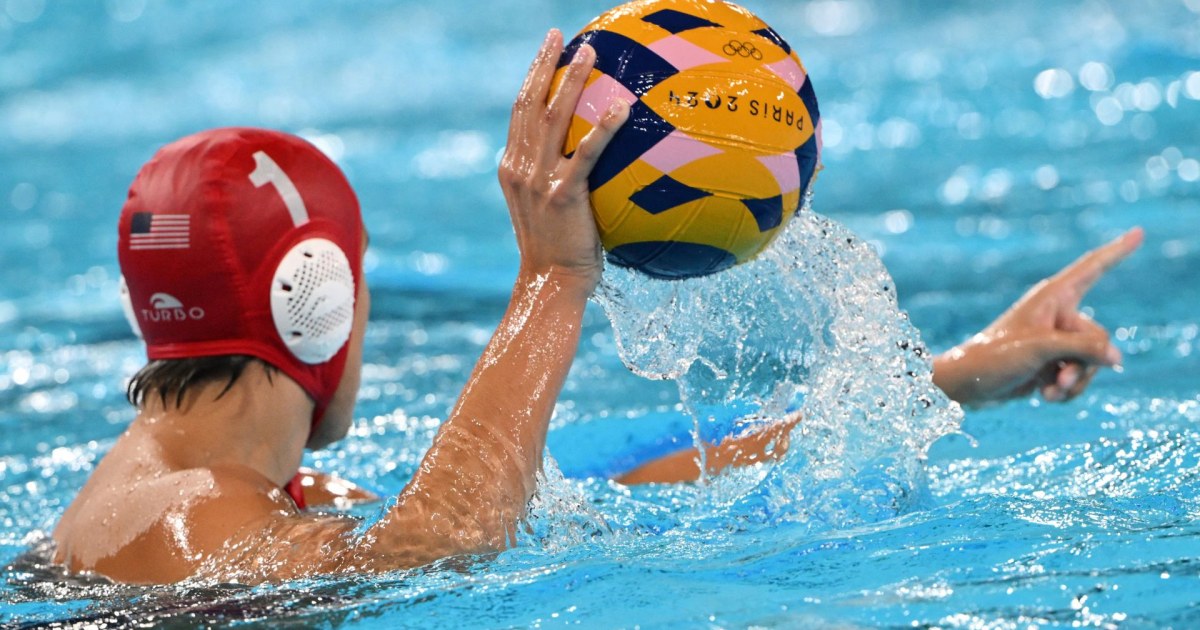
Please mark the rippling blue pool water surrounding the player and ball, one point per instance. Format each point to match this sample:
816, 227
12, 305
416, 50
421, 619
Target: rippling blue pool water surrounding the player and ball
977, 147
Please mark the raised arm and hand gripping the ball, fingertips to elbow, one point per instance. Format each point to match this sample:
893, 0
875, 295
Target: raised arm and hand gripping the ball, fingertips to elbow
473, 487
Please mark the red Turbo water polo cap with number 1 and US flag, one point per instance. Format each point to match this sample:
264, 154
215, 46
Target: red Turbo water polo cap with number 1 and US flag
244, 242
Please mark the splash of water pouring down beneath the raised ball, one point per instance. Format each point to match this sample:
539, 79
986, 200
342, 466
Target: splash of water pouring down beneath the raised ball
812, 326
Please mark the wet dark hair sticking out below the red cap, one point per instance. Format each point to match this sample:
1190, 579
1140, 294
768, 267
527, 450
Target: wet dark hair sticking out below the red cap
171, 379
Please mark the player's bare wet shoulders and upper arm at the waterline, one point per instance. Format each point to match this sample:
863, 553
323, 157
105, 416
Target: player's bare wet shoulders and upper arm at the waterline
233, 525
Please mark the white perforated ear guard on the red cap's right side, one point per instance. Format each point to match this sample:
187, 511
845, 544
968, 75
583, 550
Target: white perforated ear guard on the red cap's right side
313, 301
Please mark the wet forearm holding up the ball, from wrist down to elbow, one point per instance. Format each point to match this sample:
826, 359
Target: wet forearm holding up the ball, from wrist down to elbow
475, 484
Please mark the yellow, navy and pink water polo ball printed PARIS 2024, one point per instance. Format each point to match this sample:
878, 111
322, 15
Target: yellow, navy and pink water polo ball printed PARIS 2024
722, 143
